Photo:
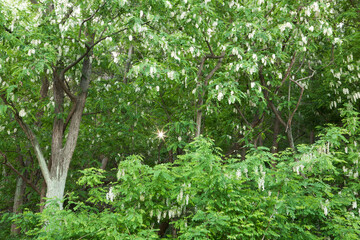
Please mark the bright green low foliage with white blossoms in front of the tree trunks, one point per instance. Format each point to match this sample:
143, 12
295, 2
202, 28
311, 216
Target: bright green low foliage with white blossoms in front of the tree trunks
206, 196
